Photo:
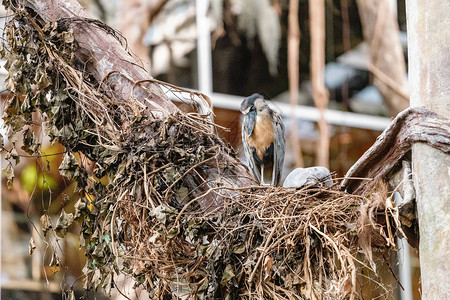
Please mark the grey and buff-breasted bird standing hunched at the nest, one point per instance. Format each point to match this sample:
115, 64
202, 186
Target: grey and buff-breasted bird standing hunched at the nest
263, 140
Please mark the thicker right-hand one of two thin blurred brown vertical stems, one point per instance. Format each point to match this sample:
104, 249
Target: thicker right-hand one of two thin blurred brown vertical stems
320, 93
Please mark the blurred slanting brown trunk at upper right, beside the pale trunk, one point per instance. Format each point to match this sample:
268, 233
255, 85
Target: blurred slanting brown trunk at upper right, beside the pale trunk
381, 31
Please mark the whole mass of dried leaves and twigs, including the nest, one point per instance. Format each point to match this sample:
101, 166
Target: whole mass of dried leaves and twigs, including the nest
143, 218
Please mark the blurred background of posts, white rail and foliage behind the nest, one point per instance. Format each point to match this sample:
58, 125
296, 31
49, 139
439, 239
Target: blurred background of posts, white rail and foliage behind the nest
342, 65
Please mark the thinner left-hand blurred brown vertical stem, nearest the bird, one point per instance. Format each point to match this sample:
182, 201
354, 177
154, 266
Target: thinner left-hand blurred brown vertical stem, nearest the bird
293, 72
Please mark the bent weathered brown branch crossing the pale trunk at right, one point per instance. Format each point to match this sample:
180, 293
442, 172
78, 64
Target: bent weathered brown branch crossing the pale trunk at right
414, 125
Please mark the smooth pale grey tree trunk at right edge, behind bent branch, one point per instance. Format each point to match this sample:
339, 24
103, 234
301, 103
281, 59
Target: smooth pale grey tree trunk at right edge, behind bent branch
429, 73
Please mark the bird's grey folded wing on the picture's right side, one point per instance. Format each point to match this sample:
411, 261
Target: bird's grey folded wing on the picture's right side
279, 149
